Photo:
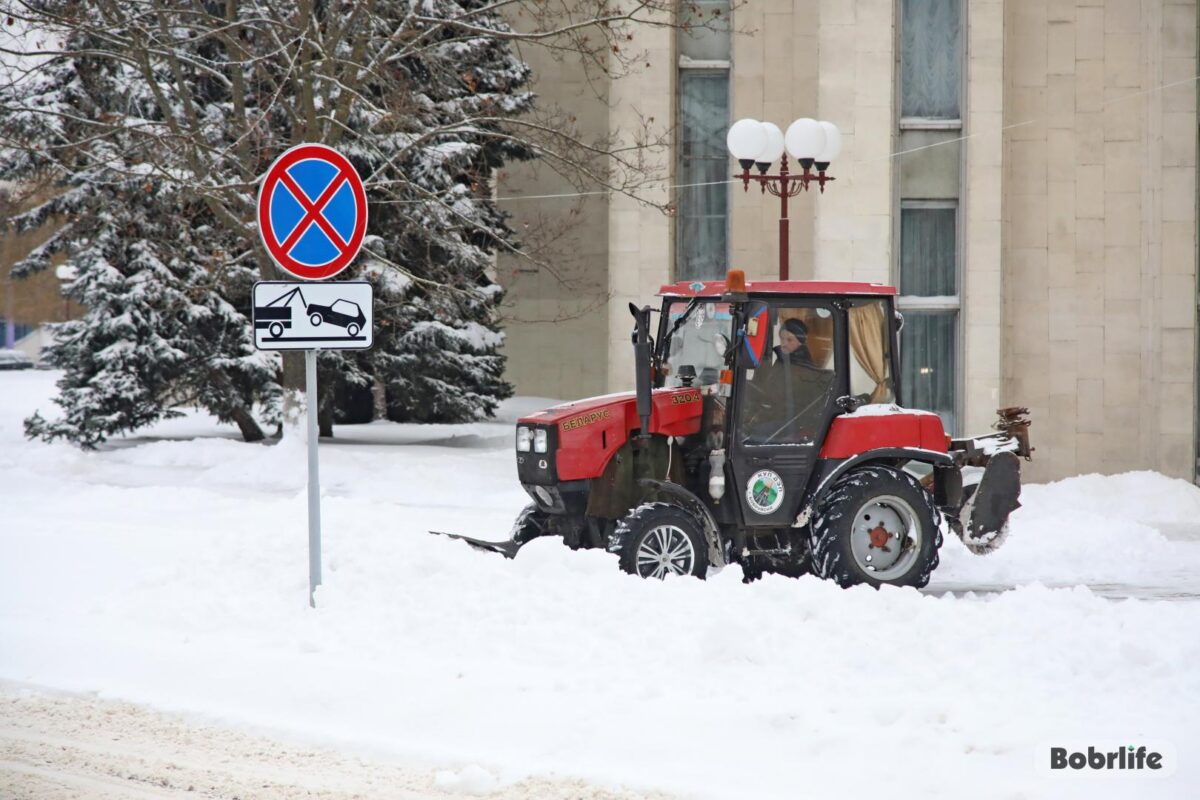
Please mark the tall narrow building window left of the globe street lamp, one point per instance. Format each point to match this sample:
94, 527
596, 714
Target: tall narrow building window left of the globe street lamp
703, 200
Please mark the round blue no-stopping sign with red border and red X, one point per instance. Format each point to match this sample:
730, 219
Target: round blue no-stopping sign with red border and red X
313, 212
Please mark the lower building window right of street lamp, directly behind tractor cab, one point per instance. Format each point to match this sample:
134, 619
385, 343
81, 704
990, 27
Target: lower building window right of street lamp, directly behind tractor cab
929, 302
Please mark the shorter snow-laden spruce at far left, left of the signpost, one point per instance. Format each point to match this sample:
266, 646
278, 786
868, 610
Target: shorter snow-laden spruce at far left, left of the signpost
158, 333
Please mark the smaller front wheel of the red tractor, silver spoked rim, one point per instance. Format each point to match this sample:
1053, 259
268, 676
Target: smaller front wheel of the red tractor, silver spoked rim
653, 528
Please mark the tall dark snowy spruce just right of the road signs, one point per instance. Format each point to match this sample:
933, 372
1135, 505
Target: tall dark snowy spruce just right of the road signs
437, 338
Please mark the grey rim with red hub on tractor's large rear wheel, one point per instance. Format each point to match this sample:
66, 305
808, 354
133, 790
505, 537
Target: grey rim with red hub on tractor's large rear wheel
886, 538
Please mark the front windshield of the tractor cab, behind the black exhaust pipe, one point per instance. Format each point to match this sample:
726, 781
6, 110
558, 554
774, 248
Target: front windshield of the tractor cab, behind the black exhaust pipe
699, 344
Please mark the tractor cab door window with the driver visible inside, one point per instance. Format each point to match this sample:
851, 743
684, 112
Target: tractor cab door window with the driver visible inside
788, 393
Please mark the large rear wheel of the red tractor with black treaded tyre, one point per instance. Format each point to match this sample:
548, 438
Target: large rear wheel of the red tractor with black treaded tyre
832, 536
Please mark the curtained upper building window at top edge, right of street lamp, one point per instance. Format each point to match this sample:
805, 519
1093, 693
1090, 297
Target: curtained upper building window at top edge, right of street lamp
931, 59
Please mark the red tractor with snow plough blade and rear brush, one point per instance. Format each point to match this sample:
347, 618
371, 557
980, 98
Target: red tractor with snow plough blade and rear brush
766, 429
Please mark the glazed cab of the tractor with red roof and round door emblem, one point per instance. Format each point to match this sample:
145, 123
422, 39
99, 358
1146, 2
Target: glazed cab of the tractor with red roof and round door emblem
778, 363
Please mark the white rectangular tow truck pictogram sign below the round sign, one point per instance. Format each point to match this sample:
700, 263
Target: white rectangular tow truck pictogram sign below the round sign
299, 316
